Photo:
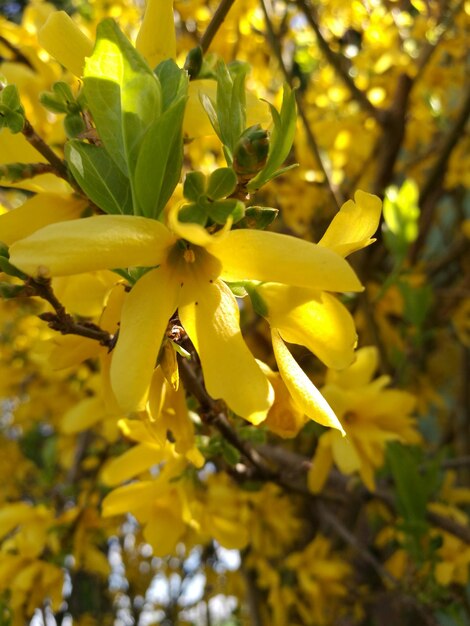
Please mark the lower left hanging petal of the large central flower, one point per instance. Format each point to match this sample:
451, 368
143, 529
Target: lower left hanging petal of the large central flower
145, 316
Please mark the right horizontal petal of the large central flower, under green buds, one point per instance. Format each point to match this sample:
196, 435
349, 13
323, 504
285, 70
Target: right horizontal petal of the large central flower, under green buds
266, 256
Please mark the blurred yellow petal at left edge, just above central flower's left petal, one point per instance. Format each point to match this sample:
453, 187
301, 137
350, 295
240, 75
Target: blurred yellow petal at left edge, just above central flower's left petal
37, 212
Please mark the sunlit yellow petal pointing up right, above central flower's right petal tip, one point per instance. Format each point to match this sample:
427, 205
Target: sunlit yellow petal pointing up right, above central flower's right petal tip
352, 228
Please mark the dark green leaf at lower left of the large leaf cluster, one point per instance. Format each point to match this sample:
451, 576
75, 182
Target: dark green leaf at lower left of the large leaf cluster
99, 177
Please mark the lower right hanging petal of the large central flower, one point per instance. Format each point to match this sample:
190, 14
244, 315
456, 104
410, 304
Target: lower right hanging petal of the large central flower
230, 370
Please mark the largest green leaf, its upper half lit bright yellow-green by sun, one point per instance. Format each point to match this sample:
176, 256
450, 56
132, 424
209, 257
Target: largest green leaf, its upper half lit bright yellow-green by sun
122, 93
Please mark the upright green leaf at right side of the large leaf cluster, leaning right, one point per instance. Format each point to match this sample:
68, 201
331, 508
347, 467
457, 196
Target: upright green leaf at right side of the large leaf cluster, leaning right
158, 168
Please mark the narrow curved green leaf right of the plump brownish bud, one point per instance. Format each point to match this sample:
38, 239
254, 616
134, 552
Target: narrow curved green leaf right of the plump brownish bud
281, 140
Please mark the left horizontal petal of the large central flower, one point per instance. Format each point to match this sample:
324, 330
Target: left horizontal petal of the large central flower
93, 243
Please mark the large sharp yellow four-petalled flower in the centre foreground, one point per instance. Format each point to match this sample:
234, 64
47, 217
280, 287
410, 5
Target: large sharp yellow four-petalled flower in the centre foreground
189, 268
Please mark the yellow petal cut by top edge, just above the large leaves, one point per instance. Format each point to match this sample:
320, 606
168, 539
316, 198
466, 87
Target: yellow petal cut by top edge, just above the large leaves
156, 40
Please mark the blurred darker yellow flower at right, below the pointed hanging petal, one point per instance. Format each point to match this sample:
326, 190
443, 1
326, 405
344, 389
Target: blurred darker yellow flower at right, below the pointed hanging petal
372, 416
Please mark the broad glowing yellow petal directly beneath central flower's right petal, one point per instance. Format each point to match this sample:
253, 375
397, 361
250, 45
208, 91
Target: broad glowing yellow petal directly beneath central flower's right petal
316, 320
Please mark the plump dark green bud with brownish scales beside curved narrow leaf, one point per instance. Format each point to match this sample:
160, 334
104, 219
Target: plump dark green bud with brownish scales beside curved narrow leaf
251, 152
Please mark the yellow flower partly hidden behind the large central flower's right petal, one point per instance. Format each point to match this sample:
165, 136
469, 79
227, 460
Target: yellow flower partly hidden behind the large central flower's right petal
314, 318
